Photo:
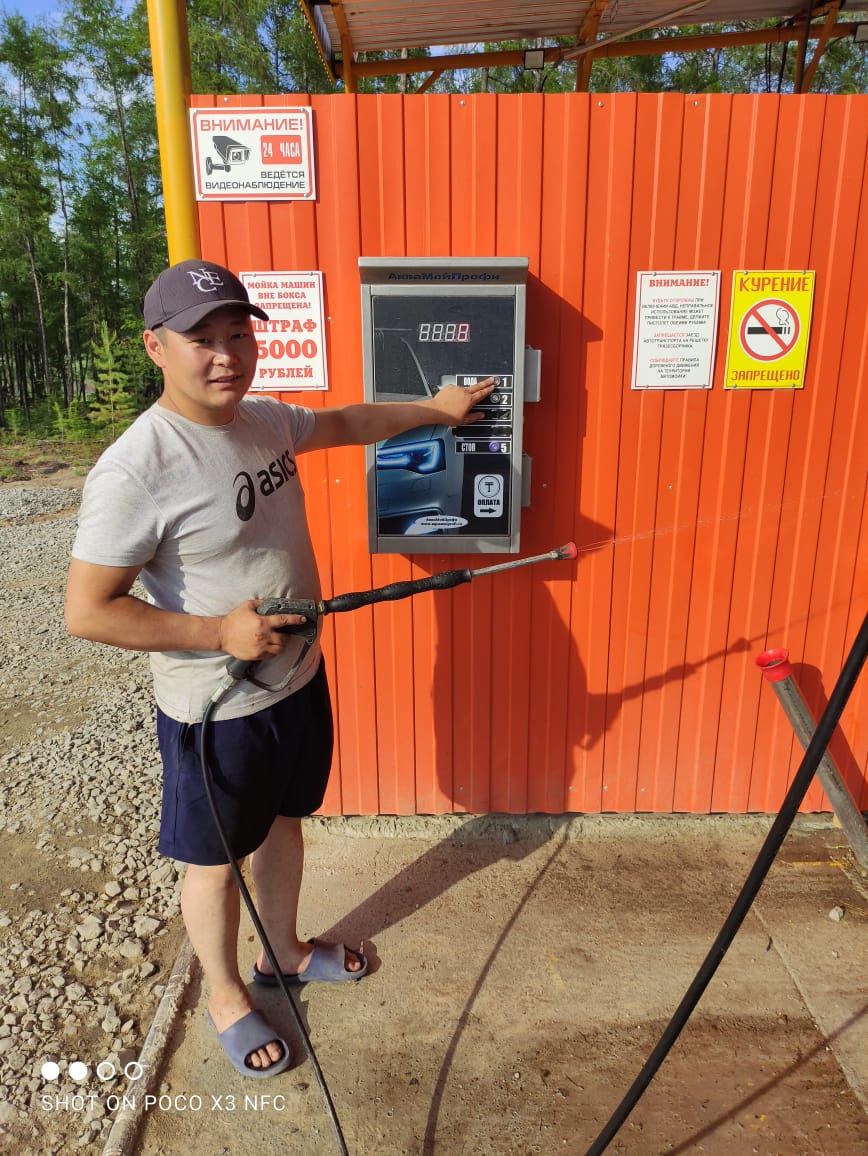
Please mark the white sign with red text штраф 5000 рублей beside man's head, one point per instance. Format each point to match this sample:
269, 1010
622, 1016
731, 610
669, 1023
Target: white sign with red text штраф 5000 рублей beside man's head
292, 343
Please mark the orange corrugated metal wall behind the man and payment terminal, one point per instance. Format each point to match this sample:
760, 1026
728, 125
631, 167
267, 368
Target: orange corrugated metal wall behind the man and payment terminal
711, 525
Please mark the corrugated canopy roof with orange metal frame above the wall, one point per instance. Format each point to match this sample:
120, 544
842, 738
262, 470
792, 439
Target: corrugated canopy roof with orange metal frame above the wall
347, 29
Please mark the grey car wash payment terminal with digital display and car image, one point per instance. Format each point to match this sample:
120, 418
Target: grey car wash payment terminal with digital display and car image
429, 323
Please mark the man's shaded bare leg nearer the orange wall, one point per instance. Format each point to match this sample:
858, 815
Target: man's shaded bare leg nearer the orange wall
278, 866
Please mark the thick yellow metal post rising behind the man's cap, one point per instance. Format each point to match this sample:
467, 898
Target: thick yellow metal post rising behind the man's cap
170, 58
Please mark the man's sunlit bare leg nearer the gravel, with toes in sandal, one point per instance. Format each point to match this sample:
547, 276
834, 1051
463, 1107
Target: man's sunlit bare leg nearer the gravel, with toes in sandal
211, 906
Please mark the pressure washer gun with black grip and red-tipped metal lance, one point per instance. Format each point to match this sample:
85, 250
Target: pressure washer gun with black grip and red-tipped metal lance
240, 669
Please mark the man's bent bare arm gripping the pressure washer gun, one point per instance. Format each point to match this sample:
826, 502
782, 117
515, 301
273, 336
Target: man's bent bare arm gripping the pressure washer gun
101, 609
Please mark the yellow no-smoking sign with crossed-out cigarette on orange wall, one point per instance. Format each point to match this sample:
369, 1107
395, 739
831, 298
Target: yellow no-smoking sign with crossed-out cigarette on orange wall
769, 330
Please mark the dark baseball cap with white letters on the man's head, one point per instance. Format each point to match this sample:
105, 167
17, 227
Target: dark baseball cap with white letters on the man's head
184, 294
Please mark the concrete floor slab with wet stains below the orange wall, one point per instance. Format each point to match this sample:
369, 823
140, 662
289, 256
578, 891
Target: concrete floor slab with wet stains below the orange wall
523, 970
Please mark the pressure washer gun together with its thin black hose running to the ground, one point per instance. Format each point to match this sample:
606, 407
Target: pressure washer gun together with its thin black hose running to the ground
239, 670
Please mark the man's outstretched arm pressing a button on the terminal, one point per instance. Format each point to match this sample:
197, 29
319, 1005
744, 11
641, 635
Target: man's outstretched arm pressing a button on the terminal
362, 425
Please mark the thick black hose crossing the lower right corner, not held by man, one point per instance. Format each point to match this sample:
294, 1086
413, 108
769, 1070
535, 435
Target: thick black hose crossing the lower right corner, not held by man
774, 841
